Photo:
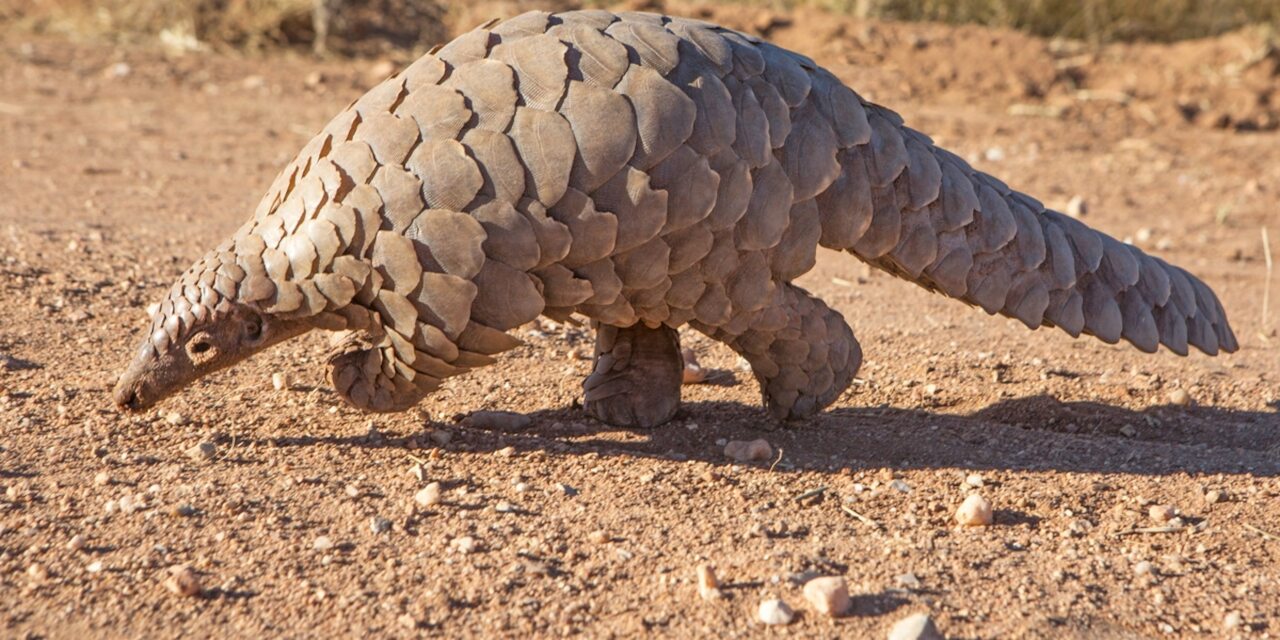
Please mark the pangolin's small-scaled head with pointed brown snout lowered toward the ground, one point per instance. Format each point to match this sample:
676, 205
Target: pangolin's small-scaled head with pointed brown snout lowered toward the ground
198, 331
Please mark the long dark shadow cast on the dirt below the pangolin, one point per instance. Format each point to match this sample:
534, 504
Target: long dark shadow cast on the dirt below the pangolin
1036, 433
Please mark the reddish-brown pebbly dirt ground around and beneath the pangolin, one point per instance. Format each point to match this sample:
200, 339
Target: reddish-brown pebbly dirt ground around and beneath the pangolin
124, 166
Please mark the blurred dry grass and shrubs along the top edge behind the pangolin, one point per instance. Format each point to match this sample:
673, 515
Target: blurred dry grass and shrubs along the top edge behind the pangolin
369, 26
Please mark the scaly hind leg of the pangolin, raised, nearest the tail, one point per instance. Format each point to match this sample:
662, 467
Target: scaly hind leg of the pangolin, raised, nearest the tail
802, 351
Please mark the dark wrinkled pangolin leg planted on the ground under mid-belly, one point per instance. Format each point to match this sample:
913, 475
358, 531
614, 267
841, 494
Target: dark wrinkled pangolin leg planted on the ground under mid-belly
637, 378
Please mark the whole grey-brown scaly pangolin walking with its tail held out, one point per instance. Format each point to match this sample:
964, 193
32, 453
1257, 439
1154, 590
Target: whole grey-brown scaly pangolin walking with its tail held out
647, 172
